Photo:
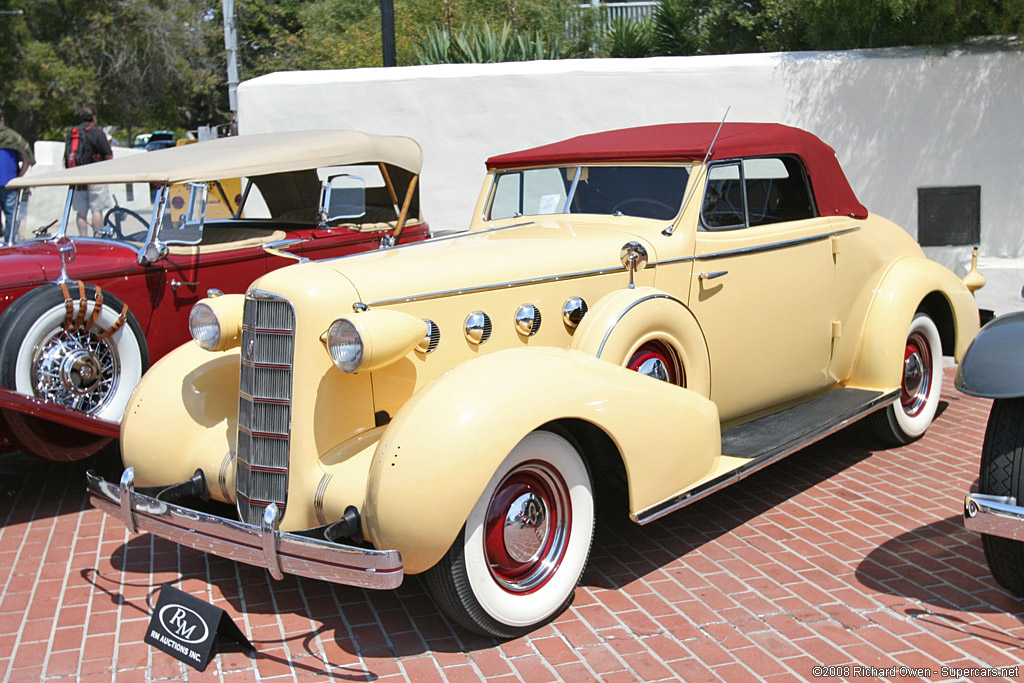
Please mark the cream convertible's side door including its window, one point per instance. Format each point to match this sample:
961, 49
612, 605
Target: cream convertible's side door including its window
763, 285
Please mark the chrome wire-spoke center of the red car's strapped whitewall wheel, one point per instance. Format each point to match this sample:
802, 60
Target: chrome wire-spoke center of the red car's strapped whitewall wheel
76, 370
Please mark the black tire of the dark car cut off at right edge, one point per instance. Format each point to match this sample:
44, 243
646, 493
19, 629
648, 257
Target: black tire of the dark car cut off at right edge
1002, 465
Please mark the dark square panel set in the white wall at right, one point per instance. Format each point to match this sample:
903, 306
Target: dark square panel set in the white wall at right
950, 217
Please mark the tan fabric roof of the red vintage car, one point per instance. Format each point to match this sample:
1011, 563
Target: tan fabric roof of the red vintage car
249, 156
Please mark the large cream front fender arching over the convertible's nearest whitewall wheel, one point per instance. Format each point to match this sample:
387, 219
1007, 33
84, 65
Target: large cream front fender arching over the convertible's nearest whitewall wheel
444, 446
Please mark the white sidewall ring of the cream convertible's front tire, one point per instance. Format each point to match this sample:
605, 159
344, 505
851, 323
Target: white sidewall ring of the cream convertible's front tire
528, 610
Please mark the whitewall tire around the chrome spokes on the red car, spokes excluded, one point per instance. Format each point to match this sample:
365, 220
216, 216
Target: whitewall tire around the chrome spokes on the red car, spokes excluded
44, 311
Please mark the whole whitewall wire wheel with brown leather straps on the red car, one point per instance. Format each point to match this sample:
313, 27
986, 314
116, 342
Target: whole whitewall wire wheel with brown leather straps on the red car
78, 348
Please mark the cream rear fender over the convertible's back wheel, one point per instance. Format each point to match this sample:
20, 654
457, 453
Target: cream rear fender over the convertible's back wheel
897, 298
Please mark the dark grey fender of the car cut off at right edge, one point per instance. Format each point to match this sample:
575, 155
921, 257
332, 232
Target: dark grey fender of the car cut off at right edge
994, 365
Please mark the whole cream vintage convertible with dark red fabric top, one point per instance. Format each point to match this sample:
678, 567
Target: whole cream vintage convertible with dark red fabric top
642, 316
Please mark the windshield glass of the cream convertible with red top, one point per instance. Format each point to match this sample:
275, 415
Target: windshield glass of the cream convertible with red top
645, 192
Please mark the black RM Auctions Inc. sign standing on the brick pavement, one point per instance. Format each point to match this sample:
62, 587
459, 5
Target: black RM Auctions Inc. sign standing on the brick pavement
186, 628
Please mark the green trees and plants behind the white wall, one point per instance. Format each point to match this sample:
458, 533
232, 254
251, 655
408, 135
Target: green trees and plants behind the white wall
161, 64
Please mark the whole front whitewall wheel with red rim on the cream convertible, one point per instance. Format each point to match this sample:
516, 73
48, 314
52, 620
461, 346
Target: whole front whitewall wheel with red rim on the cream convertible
522, 552
